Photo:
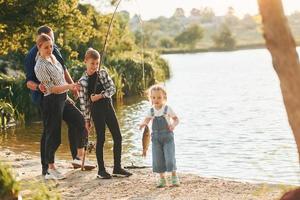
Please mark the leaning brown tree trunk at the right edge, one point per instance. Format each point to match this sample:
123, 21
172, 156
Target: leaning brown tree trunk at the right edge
281, 44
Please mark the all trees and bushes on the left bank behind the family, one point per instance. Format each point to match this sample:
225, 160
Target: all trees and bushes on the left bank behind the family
77, 27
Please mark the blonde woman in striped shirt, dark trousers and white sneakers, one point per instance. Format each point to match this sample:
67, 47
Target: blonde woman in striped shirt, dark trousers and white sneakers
51, 74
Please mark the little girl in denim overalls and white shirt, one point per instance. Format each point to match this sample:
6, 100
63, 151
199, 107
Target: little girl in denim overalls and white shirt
164, 121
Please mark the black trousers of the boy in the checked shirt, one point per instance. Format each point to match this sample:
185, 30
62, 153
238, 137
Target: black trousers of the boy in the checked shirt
104, 113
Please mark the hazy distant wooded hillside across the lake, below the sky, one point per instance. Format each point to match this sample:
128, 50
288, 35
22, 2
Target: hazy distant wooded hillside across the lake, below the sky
202, 30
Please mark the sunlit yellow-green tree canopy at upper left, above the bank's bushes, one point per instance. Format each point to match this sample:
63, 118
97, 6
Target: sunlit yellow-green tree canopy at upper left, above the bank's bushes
76, 28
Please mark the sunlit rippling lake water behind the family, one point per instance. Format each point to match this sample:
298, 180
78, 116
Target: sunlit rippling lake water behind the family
232, 120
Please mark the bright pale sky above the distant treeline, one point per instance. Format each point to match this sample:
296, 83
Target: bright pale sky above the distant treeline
154, 8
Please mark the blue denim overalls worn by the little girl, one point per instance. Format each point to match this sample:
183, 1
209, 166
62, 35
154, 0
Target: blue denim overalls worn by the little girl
163, 146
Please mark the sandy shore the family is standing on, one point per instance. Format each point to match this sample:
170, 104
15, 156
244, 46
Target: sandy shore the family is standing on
84, 184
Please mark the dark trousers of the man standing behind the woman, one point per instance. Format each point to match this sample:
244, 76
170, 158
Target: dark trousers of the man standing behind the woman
75, 122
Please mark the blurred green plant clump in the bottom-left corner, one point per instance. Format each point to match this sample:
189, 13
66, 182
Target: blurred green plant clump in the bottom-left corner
9, 187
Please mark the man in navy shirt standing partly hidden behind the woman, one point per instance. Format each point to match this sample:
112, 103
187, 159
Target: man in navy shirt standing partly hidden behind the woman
71, 115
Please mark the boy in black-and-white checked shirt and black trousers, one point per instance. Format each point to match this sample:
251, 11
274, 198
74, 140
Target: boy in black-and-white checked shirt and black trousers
98, 104
